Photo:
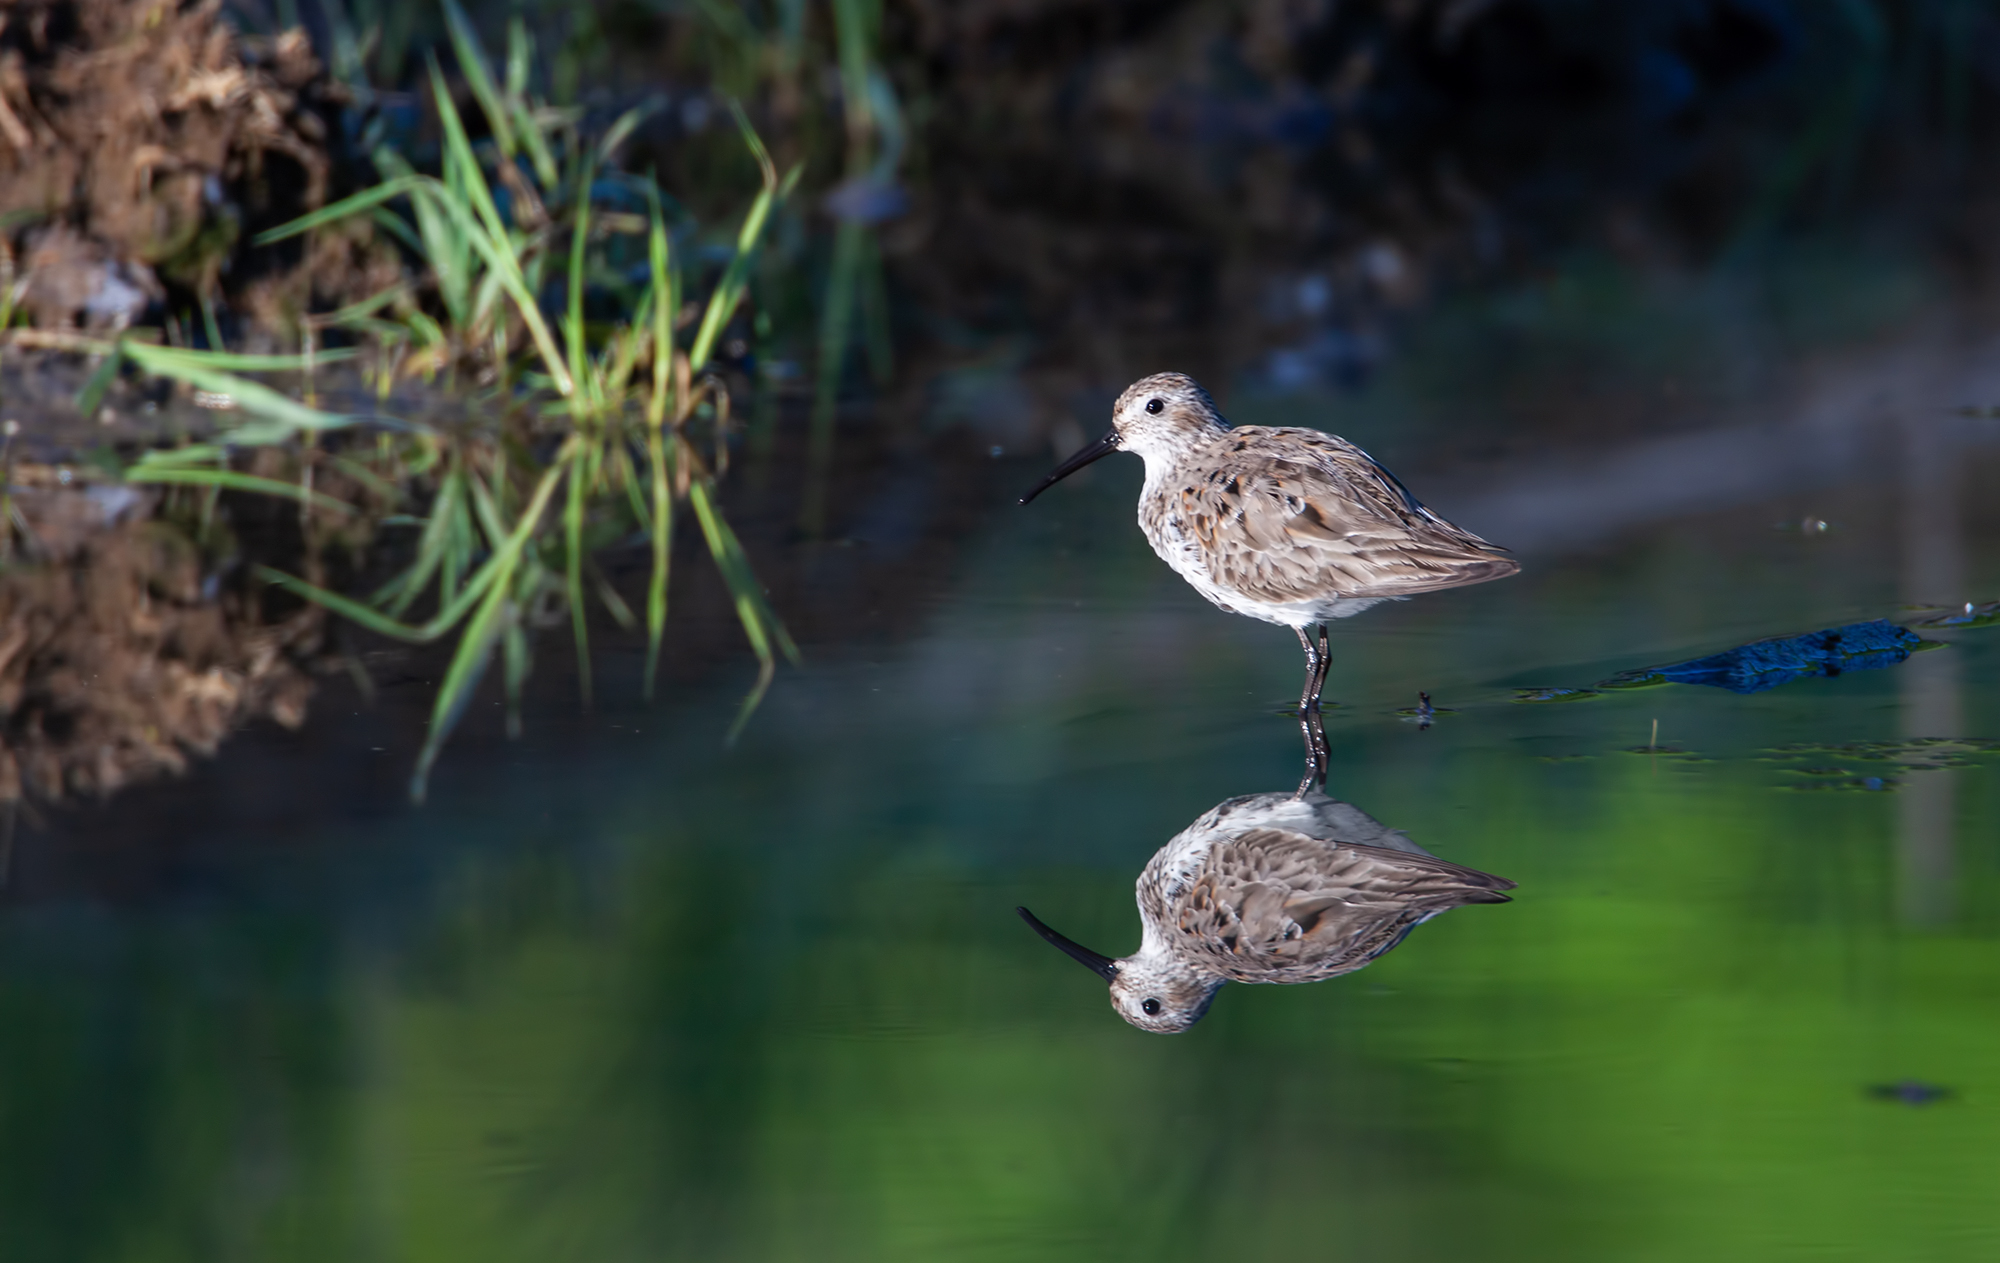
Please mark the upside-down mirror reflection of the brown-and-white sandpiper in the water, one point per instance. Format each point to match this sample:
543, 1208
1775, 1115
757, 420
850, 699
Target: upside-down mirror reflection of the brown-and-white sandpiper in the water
1273, 888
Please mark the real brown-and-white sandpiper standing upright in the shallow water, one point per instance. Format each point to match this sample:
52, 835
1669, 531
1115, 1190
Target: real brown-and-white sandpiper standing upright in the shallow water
1285, 525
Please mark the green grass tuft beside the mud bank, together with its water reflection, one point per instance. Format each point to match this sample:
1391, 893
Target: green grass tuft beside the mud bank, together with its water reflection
623, 413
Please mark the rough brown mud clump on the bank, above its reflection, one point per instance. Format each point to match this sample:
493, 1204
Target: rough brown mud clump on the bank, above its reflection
143, 145
